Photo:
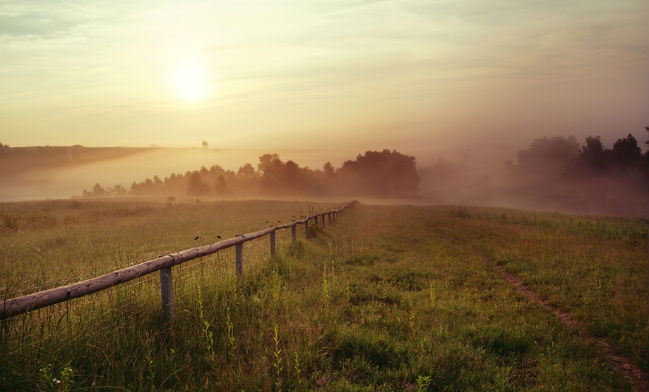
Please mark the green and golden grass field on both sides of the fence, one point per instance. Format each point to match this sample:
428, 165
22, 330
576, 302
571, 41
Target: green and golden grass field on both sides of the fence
391, 298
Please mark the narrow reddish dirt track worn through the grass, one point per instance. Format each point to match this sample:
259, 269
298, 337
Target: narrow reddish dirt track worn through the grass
620, 364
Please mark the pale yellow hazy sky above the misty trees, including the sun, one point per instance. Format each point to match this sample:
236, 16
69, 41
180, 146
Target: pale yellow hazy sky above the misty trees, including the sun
422, 76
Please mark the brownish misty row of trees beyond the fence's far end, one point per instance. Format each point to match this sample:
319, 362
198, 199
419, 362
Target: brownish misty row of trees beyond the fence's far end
374, 173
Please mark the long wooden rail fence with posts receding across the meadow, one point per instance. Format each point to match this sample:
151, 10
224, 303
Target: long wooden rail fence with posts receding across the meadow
19, 305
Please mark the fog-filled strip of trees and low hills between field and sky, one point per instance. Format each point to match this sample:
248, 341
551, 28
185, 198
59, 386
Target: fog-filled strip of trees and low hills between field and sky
552, 173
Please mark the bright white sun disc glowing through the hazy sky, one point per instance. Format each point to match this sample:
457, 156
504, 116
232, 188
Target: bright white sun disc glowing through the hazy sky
190, 81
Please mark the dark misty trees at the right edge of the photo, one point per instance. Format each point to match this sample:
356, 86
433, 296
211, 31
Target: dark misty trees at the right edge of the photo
558, 173
